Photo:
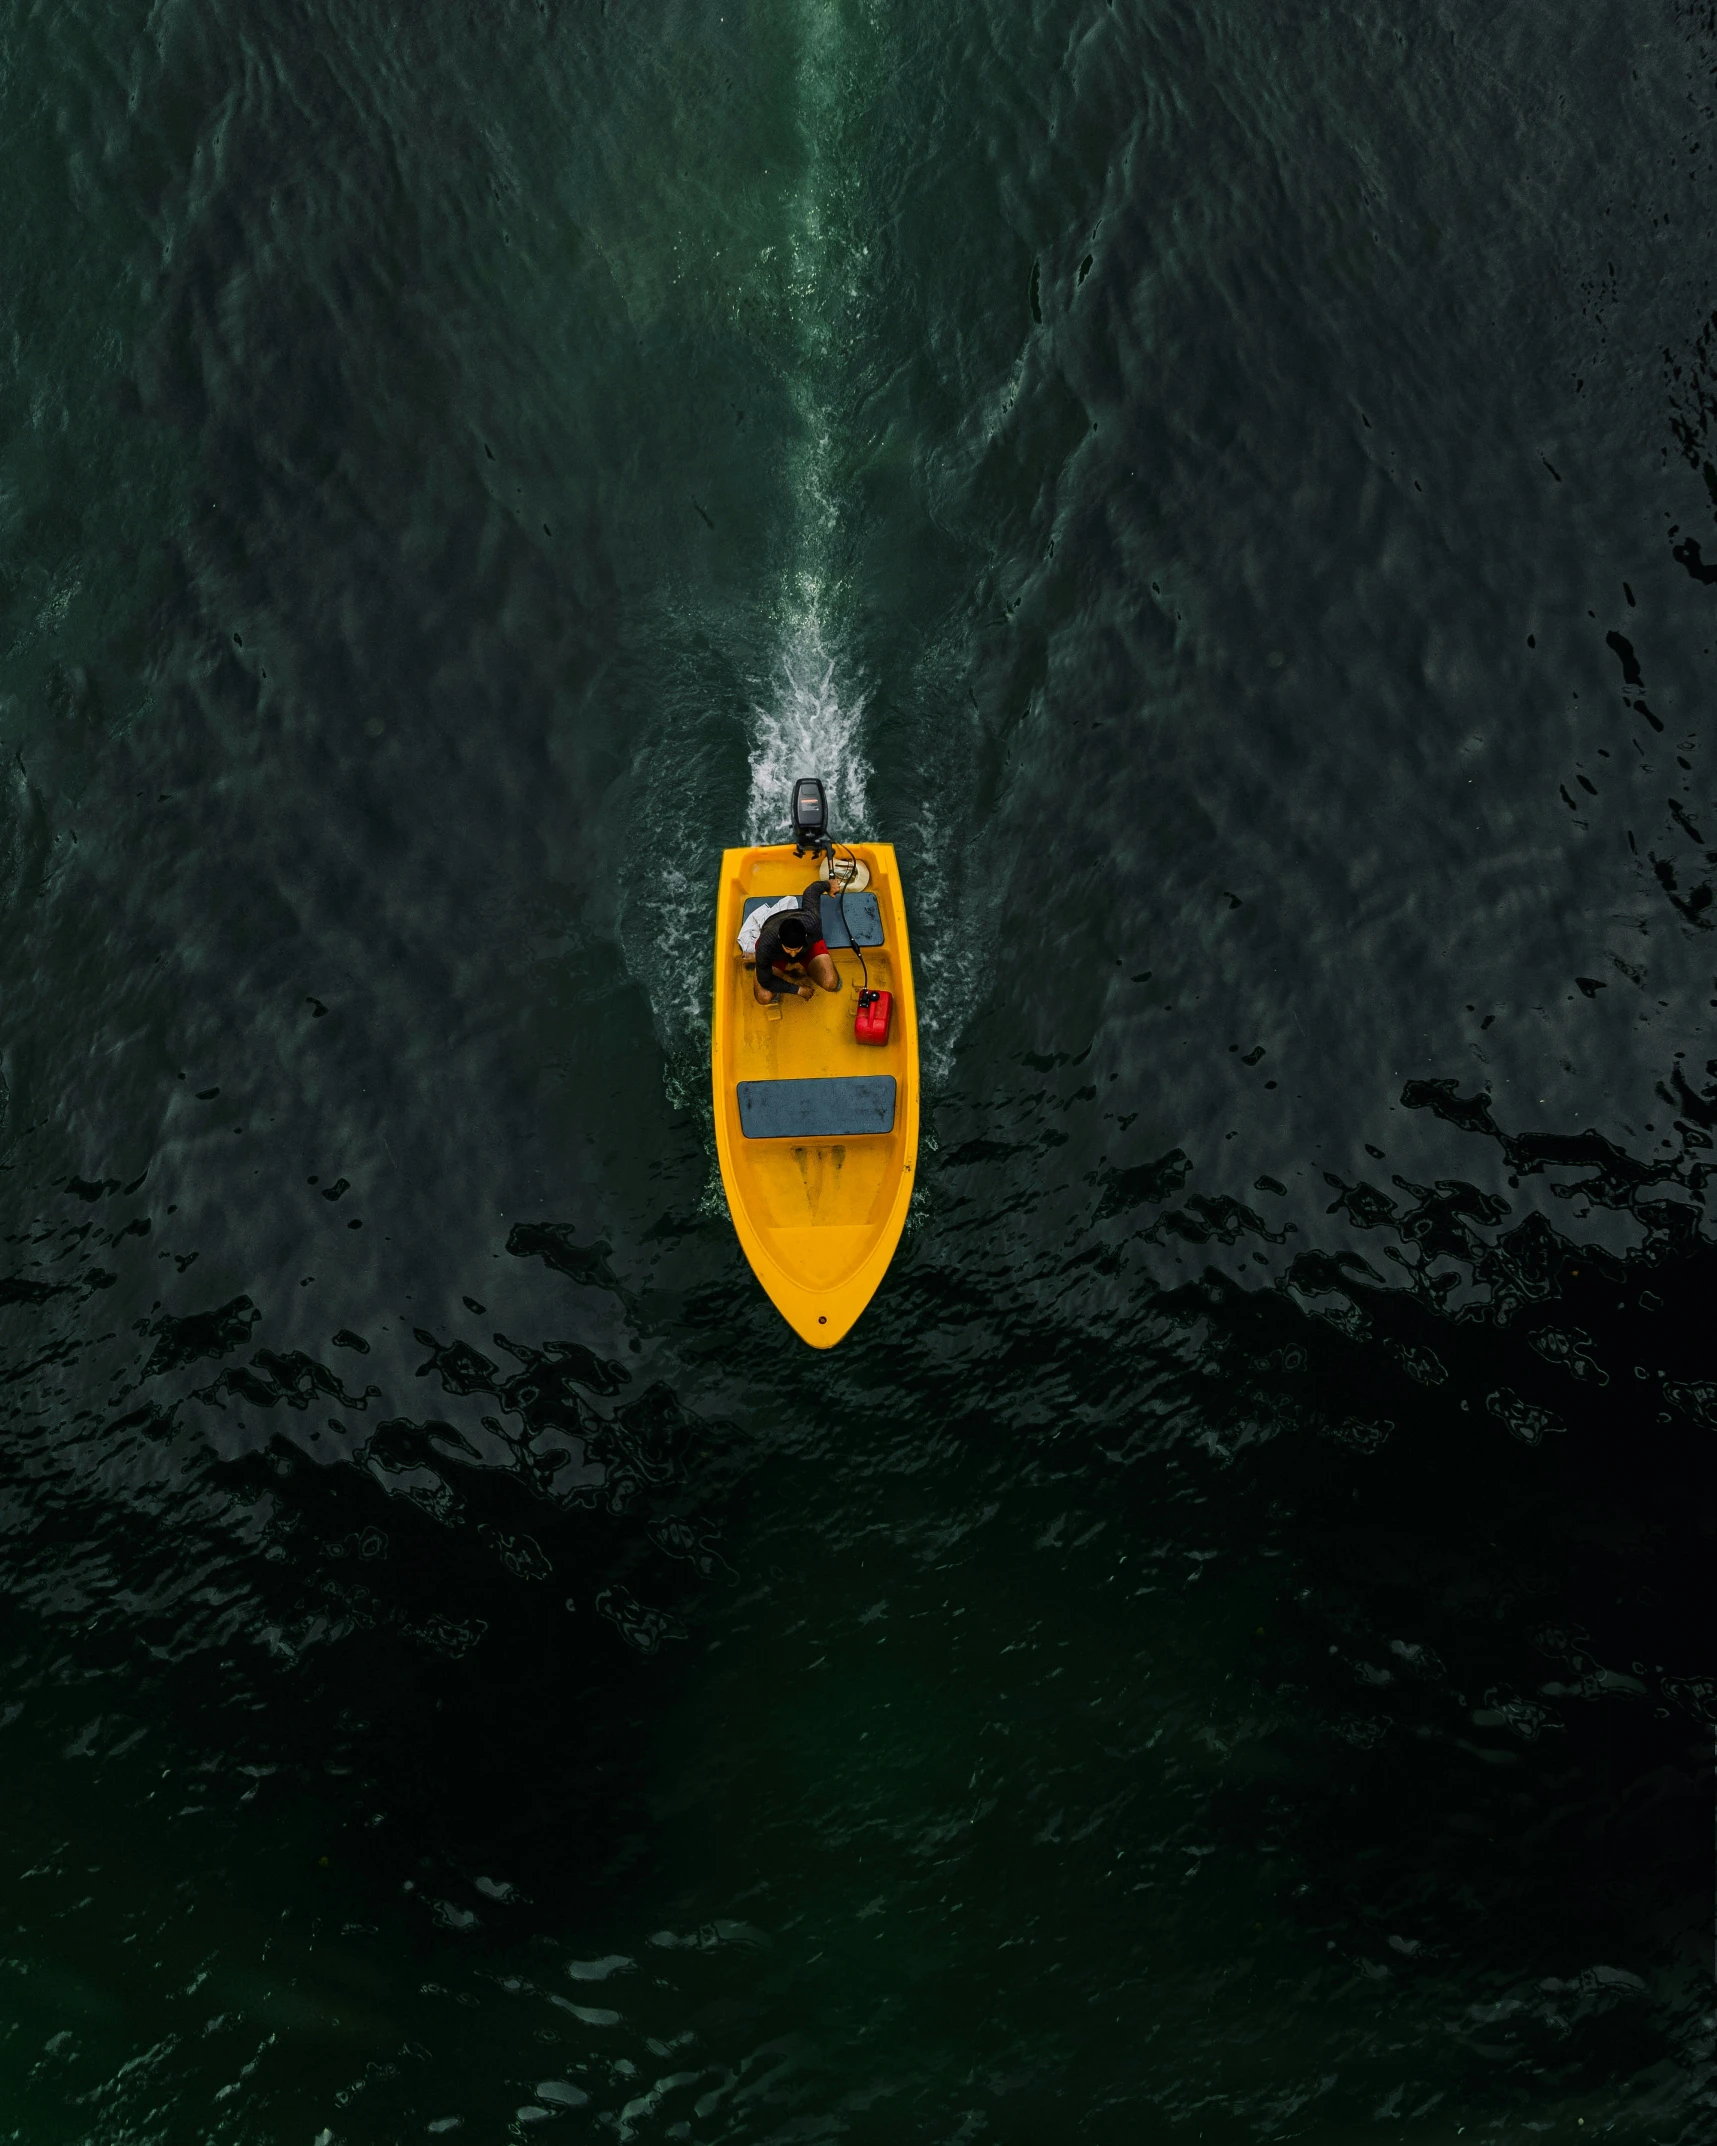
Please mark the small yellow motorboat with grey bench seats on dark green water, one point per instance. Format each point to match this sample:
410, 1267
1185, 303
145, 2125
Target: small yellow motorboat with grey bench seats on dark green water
817, 1132
